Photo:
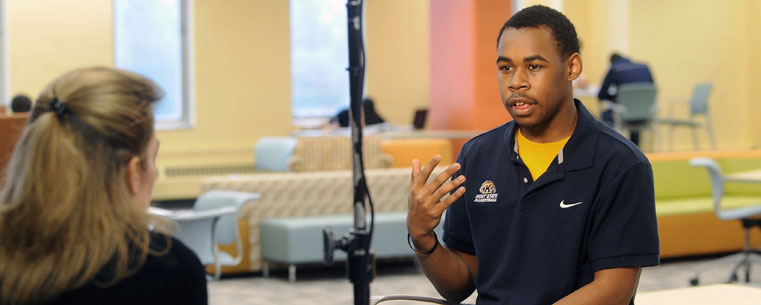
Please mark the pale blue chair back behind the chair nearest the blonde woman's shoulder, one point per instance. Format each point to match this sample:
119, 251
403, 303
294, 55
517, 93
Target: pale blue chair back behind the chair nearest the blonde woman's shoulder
227, 226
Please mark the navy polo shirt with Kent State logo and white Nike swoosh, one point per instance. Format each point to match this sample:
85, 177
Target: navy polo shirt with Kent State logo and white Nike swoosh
538, 241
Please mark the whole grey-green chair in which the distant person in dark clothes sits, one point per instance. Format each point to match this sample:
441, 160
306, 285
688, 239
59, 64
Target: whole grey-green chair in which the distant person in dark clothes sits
635, 105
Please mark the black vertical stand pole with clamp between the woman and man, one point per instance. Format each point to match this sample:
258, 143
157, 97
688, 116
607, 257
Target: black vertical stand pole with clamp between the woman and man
357, 242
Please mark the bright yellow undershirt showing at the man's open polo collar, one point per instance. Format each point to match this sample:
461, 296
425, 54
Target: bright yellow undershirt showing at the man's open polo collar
537, 156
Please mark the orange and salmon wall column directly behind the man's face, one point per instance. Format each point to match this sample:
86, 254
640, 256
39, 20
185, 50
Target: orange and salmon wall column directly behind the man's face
463, 83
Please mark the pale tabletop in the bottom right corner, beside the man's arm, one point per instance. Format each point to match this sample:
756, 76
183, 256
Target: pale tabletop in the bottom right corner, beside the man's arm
725, 294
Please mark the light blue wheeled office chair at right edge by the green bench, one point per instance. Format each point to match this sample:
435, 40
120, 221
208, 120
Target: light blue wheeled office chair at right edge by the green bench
743, 214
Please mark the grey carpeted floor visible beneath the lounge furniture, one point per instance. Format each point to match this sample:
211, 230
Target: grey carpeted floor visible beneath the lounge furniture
327, 285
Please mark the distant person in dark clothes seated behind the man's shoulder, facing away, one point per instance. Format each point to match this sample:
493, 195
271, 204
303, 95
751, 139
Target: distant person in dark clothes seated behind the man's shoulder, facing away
622, 71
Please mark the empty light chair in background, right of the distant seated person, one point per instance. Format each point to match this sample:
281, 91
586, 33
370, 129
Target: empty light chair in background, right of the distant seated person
698, 104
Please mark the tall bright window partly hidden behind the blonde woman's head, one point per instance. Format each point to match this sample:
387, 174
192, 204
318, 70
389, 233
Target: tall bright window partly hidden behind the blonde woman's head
151, 38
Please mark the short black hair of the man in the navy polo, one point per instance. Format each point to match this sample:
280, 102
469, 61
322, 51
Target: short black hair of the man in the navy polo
539, 15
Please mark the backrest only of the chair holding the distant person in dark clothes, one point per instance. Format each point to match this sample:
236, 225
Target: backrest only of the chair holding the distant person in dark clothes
638, 99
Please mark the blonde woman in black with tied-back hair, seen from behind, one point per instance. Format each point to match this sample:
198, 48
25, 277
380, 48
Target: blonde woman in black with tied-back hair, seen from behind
74, 225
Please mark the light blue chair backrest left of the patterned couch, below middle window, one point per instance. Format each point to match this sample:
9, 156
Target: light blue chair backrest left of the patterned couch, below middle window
274, 153
